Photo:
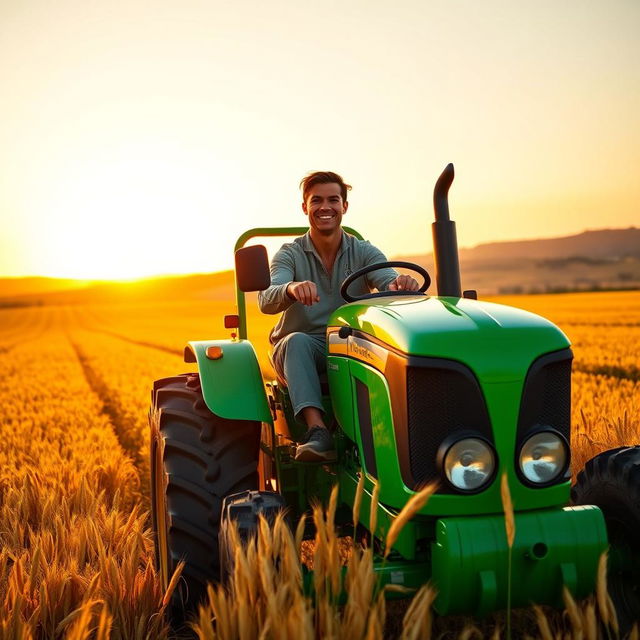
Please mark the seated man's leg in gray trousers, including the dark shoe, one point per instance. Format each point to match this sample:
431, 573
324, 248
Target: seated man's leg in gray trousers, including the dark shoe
299, 358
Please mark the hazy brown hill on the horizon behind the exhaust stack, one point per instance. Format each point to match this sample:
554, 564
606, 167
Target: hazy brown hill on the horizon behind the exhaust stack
599, 259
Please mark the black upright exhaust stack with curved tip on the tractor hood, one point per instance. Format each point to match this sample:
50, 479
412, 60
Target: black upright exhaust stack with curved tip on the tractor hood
445, 242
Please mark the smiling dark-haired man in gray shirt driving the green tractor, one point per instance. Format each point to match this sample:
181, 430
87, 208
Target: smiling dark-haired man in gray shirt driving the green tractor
306, 275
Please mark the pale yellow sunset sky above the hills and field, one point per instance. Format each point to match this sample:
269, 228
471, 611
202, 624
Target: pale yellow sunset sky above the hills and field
142, 137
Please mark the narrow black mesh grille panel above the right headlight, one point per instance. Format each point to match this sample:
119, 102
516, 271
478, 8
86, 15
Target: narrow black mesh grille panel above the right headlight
546, 399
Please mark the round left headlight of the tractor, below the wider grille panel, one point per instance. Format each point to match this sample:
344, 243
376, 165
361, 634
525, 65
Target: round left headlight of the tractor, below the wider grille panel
469, 464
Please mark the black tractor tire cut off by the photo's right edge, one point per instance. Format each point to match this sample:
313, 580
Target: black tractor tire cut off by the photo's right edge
611, 481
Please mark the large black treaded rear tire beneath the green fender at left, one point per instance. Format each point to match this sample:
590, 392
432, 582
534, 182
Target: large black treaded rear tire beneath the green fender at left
197, 459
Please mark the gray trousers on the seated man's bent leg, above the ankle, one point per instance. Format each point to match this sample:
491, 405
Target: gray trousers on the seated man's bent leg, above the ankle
300, 358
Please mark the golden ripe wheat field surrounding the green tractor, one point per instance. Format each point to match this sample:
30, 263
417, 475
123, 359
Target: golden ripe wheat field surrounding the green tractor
76, 552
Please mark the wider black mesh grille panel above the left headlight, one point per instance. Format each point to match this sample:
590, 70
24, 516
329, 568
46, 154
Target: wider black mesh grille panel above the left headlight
443, 398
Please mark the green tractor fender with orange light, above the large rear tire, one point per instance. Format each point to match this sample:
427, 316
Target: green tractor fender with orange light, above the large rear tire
230, 377
